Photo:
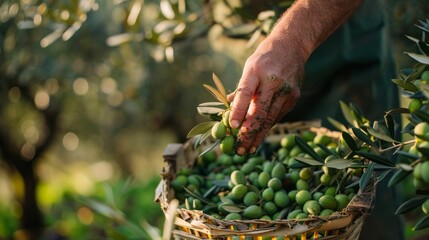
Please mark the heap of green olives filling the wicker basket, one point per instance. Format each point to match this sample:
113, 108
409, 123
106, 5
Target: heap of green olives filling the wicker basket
278, 186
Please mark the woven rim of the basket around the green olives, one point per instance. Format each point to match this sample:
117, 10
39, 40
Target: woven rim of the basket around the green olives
355, 211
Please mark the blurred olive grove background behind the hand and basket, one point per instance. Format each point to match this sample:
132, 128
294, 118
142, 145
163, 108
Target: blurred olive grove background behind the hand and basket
91, 92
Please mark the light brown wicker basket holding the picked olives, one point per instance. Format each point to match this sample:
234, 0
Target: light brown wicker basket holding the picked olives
193, 224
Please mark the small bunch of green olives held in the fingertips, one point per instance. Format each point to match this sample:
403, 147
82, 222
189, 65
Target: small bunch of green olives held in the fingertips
226, 134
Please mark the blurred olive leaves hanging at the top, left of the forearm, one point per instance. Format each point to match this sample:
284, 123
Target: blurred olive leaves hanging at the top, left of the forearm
184, 21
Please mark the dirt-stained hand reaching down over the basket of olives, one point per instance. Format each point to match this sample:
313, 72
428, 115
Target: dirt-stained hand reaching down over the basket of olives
269, 88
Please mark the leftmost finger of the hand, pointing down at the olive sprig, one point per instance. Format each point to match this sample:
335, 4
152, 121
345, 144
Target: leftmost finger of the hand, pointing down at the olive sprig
245, 91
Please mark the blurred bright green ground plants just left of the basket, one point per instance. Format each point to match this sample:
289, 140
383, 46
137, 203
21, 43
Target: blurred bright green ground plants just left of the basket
123, 211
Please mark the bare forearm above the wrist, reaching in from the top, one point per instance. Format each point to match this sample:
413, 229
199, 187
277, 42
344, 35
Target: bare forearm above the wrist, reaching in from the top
307, 23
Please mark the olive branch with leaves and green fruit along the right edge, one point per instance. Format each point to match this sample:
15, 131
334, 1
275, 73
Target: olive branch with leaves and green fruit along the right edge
414, 85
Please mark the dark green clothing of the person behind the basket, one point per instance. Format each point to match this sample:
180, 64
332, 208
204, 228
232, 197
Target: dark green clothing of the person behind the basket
355, 65
